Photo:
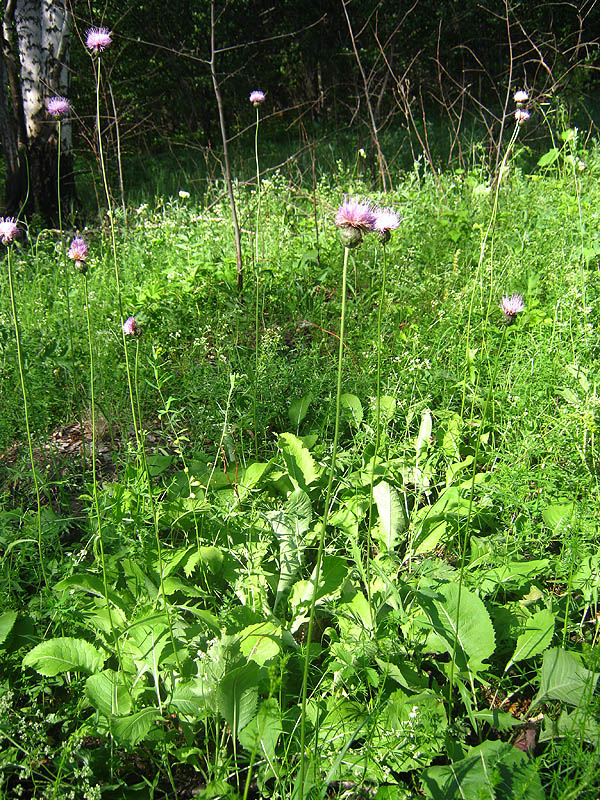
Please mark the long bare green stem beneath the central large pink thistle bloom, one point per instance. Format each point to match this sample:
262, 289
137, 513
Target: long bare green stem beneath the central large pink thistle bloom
317, 570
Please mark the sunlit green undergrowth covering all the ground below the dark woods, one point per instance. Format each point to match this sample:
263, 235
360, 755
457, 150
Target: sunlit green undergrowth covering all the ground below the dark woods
454, 651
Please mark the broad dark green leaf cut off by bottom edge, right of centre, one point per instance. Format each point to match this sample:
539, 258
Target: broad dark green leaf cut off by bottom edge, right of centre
491, 771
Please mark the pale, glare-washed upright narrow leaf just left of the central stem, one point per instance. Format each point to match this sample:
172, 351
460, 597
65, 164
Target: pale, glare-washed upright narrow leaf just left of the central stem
289, 526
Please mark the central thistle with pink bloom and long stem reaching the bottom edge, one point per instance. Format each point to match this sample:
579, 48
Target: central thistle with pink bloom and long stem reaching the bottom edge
353, 218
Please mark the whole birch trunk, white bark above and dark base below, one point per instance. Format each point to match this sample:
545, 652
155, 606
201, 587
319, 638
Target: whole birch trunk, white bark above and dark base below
36, 37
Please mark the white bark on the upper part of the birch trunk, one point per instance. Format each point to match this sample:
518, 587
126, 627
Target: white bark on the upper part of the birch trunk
43, 30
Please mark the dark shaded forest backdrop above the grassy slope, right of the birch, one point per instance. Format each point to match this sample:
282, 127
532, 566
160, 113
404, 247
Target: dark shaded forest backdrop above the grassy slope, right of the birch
458, 60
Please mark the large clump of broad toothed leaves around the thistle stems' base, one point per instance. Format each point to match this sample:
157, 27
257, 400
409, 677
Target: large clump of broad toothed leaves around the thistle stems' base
402, 667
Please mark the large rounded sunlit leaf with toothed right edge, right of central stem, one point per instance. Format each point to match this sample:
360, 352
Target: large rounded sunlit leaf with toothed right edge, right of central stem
474, 633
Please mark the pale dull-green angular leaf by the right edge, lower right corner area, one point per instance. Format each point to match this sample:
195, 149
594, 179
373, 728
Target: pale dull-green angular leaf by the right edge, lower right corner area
563, 677
